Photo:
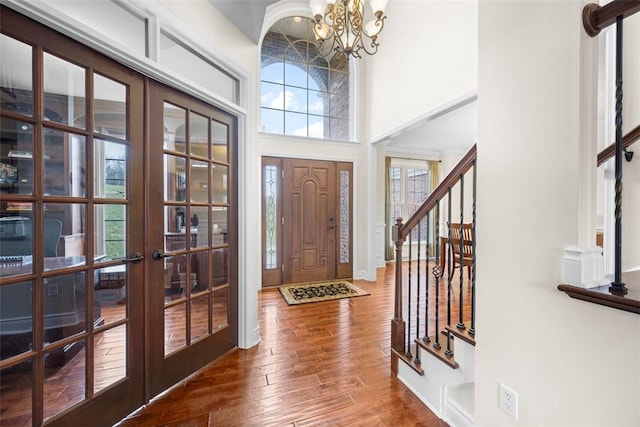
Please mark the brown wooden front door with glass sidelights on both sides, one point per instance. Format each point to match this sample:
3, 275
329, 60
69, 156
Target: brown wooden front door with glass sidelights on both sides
309, 238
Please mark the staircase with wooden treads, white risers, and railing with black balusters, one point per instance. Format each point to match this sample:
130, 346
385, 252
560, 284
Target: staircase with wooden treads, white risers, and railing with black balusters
433, 329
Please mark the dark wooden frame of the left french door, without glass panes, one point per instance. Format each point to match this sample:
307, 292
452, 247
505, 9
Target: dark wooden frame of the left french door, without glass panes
128, 392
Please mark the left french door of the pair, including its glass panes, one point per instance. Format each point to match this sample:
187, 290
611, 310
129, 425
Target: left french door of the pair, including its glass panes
69, 202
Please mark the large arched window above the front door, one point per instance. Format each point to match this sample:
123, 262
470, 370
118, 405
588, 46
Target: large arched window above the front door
303, 91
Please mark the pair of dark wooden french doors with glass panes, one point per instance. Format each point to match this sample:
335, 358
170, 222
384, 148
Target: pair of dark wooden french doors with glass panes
118, 260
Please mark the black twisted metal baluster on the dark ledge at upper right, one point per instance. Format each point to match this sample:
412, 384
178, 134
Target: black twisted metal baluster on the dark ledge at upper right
617, 286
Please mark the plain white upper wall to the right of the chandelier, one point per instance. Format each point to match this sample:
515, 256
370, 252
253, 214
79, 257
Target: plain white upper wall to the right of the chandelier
427, 58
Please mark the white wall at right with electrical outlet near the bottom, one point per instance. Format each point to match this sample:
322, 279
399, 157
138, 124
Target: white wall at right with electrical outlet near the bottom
573, 363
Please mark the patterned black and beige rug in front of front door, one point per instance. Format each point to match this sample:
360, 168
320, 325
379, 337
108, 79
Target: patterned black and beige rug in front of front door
320, 291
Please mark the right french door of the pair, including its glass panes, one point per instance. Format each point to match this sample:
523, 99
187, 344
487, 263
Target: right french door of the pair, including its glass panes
192, 235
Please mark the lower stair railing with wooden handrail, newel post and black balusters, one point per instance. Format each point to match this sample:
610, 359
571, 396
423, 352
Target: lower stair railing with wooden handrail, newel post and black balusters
436, 303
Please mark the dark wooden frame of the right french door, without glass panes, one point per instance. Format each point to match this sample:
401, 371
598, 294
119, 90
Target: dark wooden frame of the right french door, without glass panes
164, 371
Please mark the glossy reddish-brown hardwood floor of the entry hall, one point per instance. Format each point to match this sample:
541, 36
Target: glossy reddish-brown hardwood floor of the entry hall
319, 364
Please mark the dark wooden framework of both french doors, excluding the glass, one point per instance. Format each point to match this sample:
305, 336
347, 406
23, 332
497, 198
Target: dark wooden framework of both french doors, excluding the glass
147, 371
